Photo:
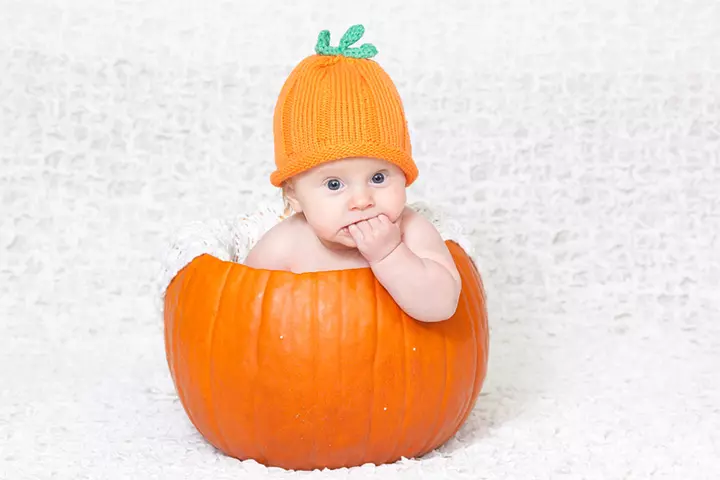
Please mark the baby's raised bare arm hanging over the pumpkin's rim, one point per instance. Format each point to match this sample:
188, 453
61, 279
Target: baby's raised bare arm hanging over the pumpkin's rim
419, 273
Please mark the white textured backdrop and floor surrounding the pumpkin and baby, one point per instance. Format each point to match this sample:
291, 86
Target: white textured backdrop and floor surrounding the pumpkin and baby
580, 140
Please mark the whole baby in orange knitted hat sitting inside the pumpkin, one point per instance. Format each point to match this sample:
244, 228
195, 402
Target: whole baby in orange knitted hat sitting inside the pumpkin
344, 162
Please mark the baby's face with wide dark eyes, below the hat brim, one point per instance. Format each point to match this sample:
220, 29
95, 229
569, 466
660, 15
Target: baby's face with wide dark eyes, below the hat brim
336, 194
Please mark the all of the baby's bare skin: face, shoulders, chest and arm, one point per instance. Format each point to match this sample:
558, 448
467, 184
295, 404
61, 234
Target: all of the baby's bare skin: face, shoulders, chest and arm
361, 225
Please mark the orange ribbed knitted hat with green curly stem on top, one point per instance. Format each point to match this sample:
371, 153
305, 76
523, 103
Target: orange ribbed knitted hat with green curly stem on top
339, 104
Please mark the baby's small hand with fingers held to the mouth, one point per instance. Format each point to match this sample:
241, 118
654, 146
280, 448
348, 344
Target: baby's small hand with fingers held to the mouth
376, 237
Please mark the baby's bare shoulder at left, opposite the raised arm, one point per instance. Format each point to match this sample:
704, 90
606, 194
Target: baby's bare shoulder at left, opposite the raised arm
274, 249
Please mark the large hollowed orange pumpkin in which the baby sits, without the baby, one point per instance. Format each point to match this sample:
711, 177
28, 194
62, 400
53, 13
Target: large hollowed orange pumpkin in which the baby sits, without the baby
321, 369
